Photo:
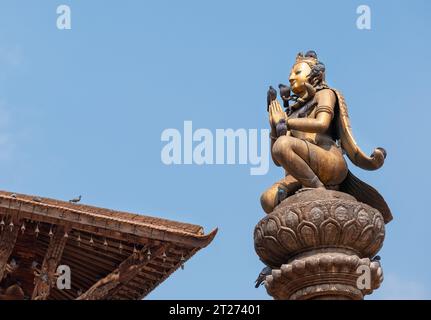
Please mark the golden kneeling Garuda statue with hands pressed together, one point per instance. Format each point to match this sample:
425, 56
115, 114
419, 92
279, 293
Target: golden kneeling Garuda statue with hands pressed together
310, 136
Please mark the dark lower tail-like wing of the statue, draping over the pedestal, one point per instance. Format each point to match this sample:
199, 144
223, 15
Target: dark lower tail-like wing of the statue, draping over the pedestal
366, 194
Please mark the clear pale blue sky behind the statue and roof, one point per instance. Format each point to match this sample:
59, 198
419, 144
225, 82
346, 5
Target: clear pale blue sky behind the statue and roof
82, 112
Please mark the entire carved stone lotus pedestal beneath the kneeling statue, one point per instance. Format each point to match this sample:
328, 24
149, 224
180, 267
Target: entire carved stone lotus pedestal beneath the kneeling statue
320, 245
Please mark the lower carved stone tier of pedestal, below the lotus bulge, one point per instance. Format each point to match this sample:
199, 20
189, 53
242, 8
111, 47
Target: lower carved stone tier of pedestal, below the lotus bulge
323, 276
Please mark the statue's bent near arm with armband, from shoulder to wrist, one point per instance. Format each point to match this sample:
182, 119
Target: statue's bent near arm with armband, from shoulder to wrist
324, 113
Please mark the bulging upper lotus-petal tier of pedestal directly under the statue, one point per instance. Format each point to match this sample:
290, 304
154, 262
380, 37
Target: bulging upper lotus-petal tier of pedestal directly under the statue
329, 219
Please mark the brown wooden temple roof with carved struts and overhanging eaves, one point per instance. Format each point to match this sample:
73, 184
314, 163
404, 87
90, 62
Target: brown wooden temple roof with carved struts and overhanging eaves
137, 251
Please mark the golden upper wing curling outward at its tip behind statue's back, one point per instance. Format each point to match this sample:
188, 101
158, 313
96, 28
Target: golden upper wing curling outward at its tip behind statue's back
348, 143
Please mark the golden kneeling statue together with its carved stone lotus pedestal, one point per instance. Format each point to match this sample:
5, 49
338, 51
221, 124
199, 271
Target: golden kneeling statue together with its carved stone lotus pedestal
324, 225
